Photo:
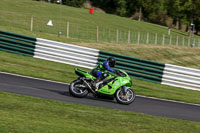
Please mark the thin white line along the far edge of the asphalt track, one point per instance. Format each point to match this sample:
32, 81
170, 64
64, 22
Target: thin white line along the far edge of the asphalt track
68, 84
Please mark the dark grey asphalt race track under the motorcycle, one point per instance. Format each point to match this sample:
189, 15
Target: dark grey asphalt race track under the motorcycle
59, 91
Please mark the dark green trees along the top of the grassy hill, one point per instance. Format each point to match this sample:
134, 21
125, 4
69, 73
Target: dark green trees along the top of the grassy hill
180, 14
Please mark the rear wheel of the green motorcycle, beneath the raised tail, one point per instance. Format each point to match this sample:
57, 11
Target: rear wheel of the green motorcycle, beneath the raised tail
78, 89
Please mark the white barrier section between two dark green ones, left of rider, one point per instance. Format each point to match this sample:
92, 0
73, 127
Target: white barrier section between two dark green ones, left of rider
66, 53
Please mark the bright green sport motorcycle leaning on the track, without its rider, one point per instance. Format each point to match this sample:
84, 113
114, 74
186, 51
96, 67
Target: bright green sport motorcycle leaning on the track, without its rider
112, 86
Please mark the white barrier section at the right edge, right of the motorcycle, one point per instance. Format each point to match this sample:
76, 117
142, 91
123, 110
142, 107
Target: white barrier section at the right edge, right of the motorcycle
183, 77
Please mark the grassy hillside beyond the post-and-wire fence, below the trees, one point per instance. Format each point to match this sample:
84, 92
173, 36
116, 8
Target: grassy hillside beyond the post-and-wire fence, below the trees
17, 14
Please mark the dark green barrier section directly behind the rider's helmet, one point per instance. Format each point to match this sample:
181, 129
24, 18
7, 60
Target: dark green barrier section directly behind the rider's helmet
139, 68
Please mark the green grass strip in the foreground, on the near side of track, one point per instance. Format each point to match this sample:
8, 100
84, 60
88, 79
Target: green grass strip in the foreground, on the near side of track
21, 114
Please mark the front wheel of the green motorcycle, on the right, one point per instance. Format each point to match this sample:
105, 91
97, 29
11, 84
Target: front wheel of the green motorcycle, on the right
127, 98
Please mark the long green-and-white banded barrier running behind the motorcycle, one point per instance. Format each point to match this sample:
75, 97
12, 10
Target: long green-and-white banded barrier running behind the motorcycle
87, 58
